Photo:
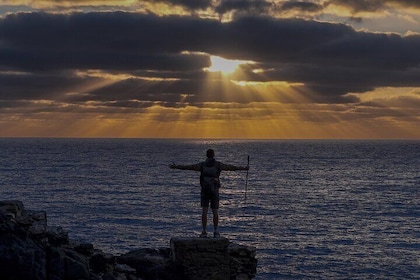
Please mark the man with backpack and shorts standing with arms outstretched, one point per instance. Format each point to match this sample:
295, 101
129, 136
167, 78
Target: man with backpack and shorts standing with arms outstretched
210, 170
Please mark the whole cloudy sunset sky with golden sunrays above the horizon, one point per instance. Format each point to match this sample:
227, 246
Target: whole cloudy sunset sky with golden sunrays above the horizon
245, 69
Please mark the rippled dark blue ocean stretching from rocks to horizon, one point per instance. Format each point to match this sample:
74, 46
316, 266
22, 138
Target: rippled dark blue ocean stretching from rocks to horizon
323, 209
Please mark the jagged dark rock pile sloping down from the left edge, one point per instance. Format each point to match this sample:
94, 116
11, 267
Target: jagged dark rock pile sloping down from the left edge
29, 249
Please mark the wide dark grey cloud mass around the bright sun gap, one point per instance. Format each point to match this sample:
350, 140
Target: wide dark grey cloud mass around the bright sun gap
41, 53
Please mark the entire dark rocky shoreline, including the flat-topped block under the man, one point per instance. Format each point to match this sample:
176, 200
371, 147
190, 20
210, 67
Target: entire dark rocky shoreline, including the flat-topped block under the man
30, 249
